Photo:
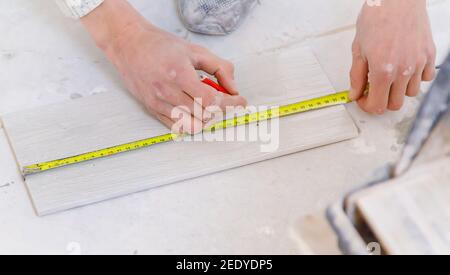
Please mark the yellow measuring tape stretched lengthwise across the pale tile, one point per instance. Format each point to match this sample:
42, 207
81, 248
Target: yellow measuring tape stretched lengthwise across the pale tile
286, 110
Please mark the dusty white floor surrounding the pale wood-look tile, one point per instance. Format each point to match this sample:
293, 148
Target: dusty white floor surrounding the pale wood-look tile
46, 58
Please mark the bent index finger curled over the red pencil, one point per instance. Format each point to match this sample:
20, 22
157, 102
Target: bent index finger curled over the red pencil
222, 69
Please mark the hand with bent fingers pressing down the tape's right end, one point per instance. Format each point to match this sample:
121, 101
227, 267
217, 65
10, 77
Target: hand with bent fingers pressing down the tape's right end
394, 51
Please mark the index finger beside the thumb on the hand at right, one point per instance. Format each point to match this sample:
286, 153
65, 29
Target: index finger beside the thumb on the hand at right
377, 99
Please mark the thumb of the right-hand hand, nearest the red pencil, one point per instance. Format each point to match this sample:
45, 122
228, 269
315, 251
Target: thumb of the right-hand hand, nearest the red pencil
358, 77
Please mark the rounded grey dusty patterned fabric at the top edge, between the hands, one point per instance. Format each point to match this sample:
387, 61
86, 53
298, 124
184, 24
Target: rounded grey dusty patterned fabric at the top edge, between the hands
214, 17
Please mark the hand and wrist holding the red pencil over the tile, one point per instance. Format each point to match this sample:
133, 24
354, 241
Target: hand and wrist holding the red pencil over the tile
159, 69
